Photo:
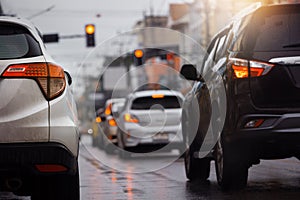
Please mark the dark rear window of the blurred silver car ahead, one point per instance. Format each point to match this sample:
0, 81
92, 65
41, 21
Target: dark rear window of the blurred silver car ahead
145, 103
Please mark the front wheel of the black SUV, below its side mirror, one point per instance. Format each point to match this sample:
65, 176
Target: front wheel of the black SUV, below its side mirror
196, 169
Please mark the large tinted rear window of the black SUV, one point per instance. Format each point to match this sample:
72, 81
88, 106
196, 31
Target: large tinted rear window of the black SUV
274, 29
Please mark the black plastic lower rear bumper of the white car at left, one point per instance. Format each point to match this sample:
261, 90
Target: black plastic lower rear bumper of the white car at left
22, 157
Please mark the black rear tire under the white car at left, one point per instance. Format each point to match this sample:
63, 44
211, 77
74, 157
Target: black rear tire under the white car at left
59, 187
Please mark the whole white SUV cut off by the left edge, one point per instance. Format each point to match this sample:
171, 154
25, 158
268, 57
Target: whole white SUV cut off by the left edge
38, 118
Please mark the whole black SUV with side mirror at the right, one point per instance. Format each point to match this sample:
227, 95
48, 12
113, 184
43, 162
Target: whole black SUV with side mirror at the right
246, 97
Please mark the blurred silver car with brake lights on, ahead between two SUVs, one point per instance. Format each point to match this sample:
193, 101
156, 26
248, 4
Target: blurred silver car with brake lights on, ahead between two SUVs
150, 120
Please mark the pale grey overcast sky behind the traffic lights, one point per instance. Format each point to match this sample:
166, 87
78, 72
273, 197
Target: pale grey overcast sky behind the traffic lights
68, 17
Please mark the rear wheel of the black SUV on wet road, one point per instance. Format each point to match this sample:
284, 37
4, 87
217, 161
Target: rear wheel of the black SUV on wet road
231, 172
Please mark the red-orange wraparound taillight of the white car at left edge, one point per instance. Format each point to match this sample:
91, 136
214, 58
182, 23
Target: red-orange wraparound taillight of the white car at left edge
50, 77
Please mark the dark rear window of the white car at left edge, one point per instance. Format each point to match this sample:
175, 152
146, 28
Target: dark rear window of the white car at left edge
17, 42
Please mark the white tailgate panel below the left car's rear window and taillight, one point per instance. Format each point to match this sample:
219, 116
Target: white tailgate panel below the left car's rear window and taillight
23, 116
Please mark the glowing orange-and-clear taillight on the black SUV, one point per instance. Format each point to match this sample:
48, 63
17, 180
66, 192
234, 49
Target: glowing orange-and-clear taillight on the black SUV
242, 67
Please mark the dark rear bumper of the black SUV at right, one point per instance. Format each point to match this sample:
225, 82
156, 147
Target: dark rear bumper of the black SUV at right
278, 137
